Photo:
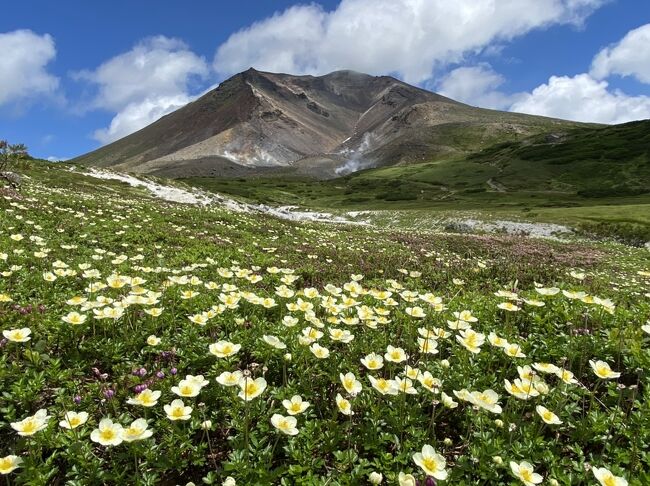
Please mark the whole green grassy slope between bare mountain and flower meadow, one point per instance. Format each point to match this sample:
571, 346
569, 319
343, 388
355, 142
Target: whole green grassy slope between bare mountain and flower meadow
590, 177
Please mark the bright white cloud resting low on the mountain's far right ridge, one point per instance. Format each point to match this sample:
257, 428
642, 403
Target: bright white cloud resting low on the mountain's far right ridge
582, 98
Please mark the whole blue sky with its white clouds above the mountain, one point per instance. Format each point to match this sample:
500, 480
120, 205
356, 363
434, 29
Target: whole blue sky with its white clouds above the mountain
77, 74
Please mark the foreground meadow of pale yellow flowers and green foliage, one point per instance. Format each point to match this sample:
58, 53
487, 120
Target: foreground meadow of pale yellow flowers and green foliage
147, 342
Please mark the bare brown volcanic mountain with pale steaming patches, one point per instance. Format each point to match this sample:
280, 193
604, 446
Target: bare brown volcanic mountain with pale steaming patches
259, 123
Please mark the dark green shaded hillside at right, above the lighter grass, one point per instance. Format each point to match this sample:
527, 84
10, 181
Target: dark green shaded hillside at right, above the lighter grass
590, 162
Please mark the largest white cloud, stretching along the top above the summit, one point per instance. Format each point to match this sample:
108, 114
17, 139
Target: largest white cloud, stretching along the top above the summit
408, 37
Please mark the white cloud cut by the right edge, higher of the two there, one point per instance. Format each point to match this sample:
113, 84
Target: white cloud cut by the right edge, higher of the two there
628, 57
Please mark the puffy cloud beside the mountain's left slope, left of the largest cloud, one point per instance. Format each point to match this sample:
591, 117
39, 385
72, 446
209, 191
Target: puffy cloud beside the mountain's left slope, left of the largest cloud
154, 78
